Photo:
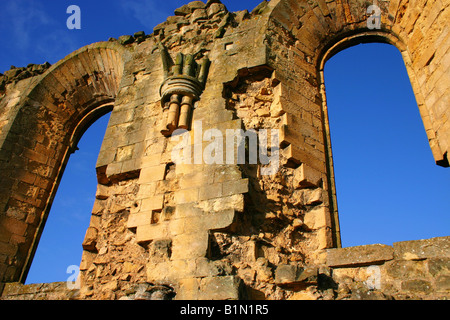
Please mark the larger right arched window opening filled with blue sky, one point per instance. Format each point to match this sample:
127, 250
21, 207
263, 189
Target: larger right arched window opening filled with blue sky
388, 186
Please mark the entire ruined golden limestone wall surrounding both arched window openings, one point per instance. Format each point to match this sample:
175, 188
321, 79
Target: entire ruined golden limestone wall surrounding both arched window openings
165, 229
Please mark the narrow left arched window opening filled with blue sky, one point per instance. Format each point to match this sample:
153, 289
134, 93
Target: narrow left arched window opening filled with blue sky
69, 217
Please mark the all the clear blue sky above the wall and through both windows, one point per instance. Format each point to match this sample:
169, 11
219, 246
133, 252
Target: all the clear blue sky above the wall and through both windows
389, 188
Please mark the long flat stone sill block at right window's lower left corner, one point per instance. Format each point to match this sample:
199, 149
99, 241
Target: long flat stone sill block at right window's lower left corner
359, 256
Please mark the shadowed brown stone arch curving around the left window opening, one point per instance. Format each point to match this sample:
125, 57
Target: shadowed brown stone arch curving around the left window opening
49, 119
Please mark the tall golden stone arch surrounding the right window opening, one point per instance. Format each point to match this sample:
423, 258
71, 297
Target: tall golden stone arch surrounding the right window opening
305, 34
